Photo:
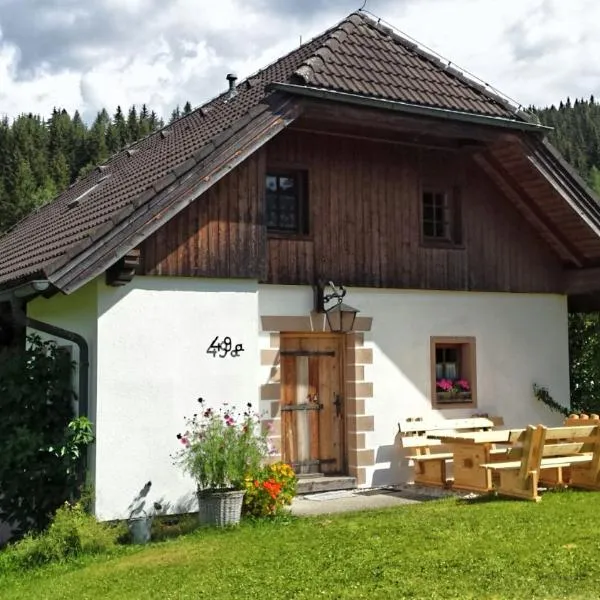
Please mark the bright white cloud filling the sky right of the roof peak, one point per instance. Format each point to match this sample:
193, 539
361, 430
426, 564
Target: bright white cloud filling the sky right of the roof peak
537, 52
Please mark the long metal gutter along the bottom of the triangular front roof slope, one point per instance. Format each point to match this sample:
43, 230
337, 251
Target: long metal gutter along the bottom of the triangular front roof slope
405, 107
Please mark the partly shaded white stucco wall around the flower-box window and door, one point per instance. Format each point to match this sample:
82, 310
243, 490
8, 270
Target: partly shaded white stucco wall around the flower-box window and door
520, 339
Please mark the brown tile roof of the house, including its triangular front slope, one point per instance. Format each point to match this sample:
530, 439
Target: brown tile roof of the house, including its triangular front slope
356, 56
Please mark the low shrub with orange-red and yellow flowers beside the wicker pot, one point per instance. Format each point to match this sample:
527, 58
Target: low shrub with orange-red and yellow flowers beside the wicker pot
269, 490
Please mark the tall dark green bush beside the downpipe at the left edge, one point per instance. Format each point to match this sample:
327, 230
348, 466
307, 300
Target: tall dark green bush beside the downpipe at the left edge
41, 441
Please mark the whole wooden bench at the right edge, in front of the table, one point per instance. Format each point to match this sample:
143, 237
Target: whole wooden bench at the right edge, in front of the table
540, 448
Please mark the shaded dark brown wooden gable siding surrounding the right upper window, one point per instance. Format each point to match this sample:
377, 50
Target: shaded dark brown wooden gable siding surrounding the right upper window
365, 222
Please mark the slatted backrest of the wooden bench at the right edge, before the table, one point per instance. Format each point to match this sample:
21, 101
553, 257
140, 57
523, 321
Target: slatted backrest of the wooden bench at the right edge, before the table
537, 443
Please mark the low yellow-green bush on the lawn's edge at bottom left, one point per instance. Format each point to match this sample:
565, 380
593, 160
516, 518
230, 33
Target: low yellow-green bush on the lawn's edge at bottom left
72, 533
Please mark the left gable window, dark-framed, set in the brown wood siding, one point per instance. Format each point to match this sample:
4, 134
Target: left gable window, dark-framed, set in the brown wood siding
287, 202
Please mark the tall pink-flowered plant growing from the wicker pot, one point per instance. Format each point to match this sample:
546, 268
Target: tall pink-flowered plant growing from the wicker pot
221, 446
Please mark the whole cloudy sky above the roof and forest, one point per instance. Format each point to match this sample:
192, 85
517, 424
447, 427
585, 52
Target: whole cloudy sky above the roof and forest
88, 54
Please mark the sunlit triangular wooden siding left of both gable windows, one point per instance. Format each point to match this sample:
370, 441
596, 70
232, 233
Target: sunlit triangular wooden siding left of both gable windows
218, 235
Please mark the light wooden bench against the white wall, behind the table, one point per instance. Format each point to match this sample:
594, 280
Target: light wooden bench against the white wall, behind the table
429, 455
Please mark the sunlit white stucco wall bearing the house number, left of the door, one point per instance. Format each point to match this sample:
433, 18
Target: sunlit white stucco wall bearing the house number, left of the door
153, 366
